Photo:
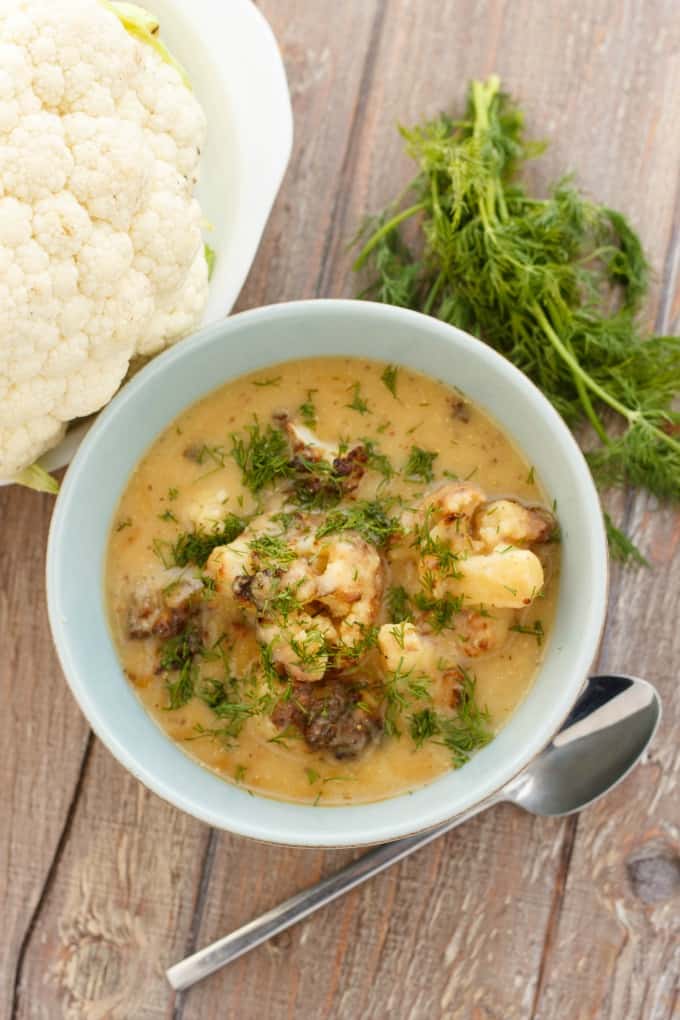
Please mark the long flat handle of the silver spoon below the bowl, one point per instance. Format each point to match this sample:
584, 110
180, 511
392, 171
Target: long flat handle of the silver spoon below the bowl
199, 965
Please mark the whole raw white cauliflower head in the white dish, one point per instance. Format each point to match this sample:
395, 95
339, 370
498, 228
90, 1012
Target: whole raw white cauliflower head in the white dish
101, 254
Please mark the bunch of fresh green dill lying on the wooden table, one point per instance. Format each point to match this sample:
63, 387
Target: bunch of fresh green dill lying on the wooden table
554, 284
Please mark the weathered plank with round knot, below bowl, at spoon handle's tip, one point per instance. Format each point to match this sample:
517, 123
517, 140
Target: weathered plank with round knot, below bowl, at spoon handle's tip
123, 899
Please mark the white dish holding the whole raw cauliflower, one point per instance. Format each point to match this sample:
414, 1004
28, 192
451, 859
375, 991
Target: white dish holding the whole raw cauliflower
238, 75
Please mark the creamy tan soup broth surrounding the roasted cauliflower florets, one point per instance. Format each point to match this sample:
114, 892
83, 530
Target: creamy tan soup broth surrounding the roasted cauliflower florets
189, 482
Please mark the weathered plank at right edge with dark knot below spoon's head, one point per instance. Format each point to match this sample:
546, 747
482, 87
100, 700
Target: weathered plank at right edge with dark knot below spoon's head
617, 947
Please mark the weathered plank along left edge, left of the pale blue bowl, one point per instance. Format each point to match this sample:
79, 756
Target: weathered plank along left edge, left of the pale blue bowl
43, 735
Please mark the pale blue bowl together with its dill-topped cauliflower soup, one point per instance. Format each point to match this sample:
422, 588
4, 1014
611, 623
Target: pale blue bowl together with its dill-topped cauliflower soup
343, 579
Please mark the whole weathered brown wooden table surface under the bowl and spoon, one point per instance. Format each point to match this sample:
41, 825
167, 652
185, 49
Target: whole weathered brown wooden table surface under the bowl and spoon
102, 885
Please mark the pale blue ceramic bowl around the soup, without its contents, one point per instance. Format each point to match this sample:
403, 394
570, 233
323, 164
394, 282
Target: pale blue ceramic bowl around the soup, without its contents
254, 340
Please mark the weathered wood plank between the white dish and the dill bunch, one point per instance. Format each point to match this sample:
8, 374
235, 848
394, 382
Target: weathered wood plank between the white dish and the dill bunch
325, 55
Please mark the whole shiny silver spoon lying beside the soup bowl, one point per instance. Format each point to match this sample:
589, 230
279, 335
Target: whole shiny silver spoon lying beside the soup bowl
606, 734
